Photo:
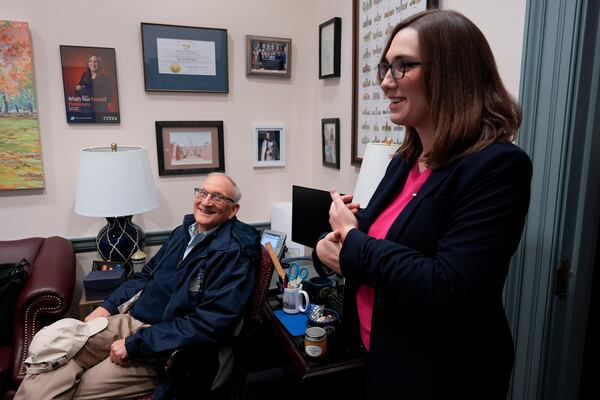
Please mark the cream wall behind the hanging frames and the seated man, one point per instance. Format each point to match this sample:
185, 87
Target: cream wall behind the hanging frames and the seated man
298, 103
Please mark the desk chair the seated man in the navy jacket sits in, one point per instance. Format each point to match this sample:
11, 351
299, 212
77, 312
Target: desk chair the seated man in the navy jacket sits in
192, 375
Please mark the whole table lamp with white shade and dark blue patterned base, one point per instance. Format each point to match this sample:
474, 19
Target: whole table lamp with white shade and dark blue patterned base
116, 183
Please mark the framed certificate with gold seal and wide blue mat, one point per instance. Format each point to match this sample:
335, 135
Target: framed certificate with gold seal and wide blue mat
184, 58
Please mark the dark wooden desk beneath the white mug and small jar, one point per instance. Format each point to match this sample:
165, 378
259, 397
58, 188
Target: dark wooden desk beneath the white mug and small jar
336, 359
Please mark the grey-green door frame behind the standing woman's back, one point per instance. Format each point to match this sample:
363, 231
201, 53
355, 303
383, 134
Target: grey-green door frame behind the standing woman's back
560, 94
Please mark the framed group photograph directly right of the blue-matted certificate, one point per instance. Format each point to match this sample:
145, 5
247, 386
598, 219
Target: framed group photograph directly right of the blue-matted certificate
268, 56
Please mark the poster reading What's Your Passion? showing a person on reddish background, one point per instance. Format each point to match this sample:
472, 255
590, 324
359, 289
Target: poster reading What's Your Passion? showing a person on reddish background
90, 84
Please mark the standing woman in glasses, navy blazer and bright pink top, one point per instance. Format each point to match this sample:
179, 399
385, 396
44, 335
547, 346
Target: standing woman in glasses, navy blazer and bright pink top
426, 262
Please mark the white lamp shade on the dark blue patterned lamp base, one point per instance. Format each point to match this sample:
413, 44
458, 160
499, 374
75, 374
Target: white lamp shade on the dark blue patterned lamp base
114, 183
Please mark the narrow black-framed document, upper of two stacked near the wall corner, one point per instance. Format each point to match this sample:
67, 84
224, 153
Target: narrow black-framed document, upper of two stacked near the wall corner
330, 39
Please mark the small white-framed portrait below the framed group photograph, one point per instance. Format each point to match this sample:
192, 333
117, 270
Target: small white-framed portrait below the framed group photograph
269, 146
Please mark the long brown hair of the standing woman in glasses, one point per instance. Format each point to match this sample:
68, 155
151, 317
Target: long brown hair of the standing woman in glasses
469, 106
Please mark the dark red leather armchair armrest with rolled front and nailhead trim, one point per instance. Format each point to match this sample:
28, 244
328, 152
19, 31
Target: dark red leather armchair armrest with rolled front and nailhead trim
47, 292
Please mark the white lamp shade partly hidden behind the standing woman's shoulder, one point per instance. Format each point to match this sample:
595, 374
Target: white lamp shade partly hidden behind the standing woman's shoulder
375, 161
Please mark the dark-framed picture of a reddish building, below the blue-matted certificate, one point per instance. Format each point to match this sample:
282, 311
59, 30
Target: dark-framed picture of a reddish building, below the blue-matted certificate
190, 147
